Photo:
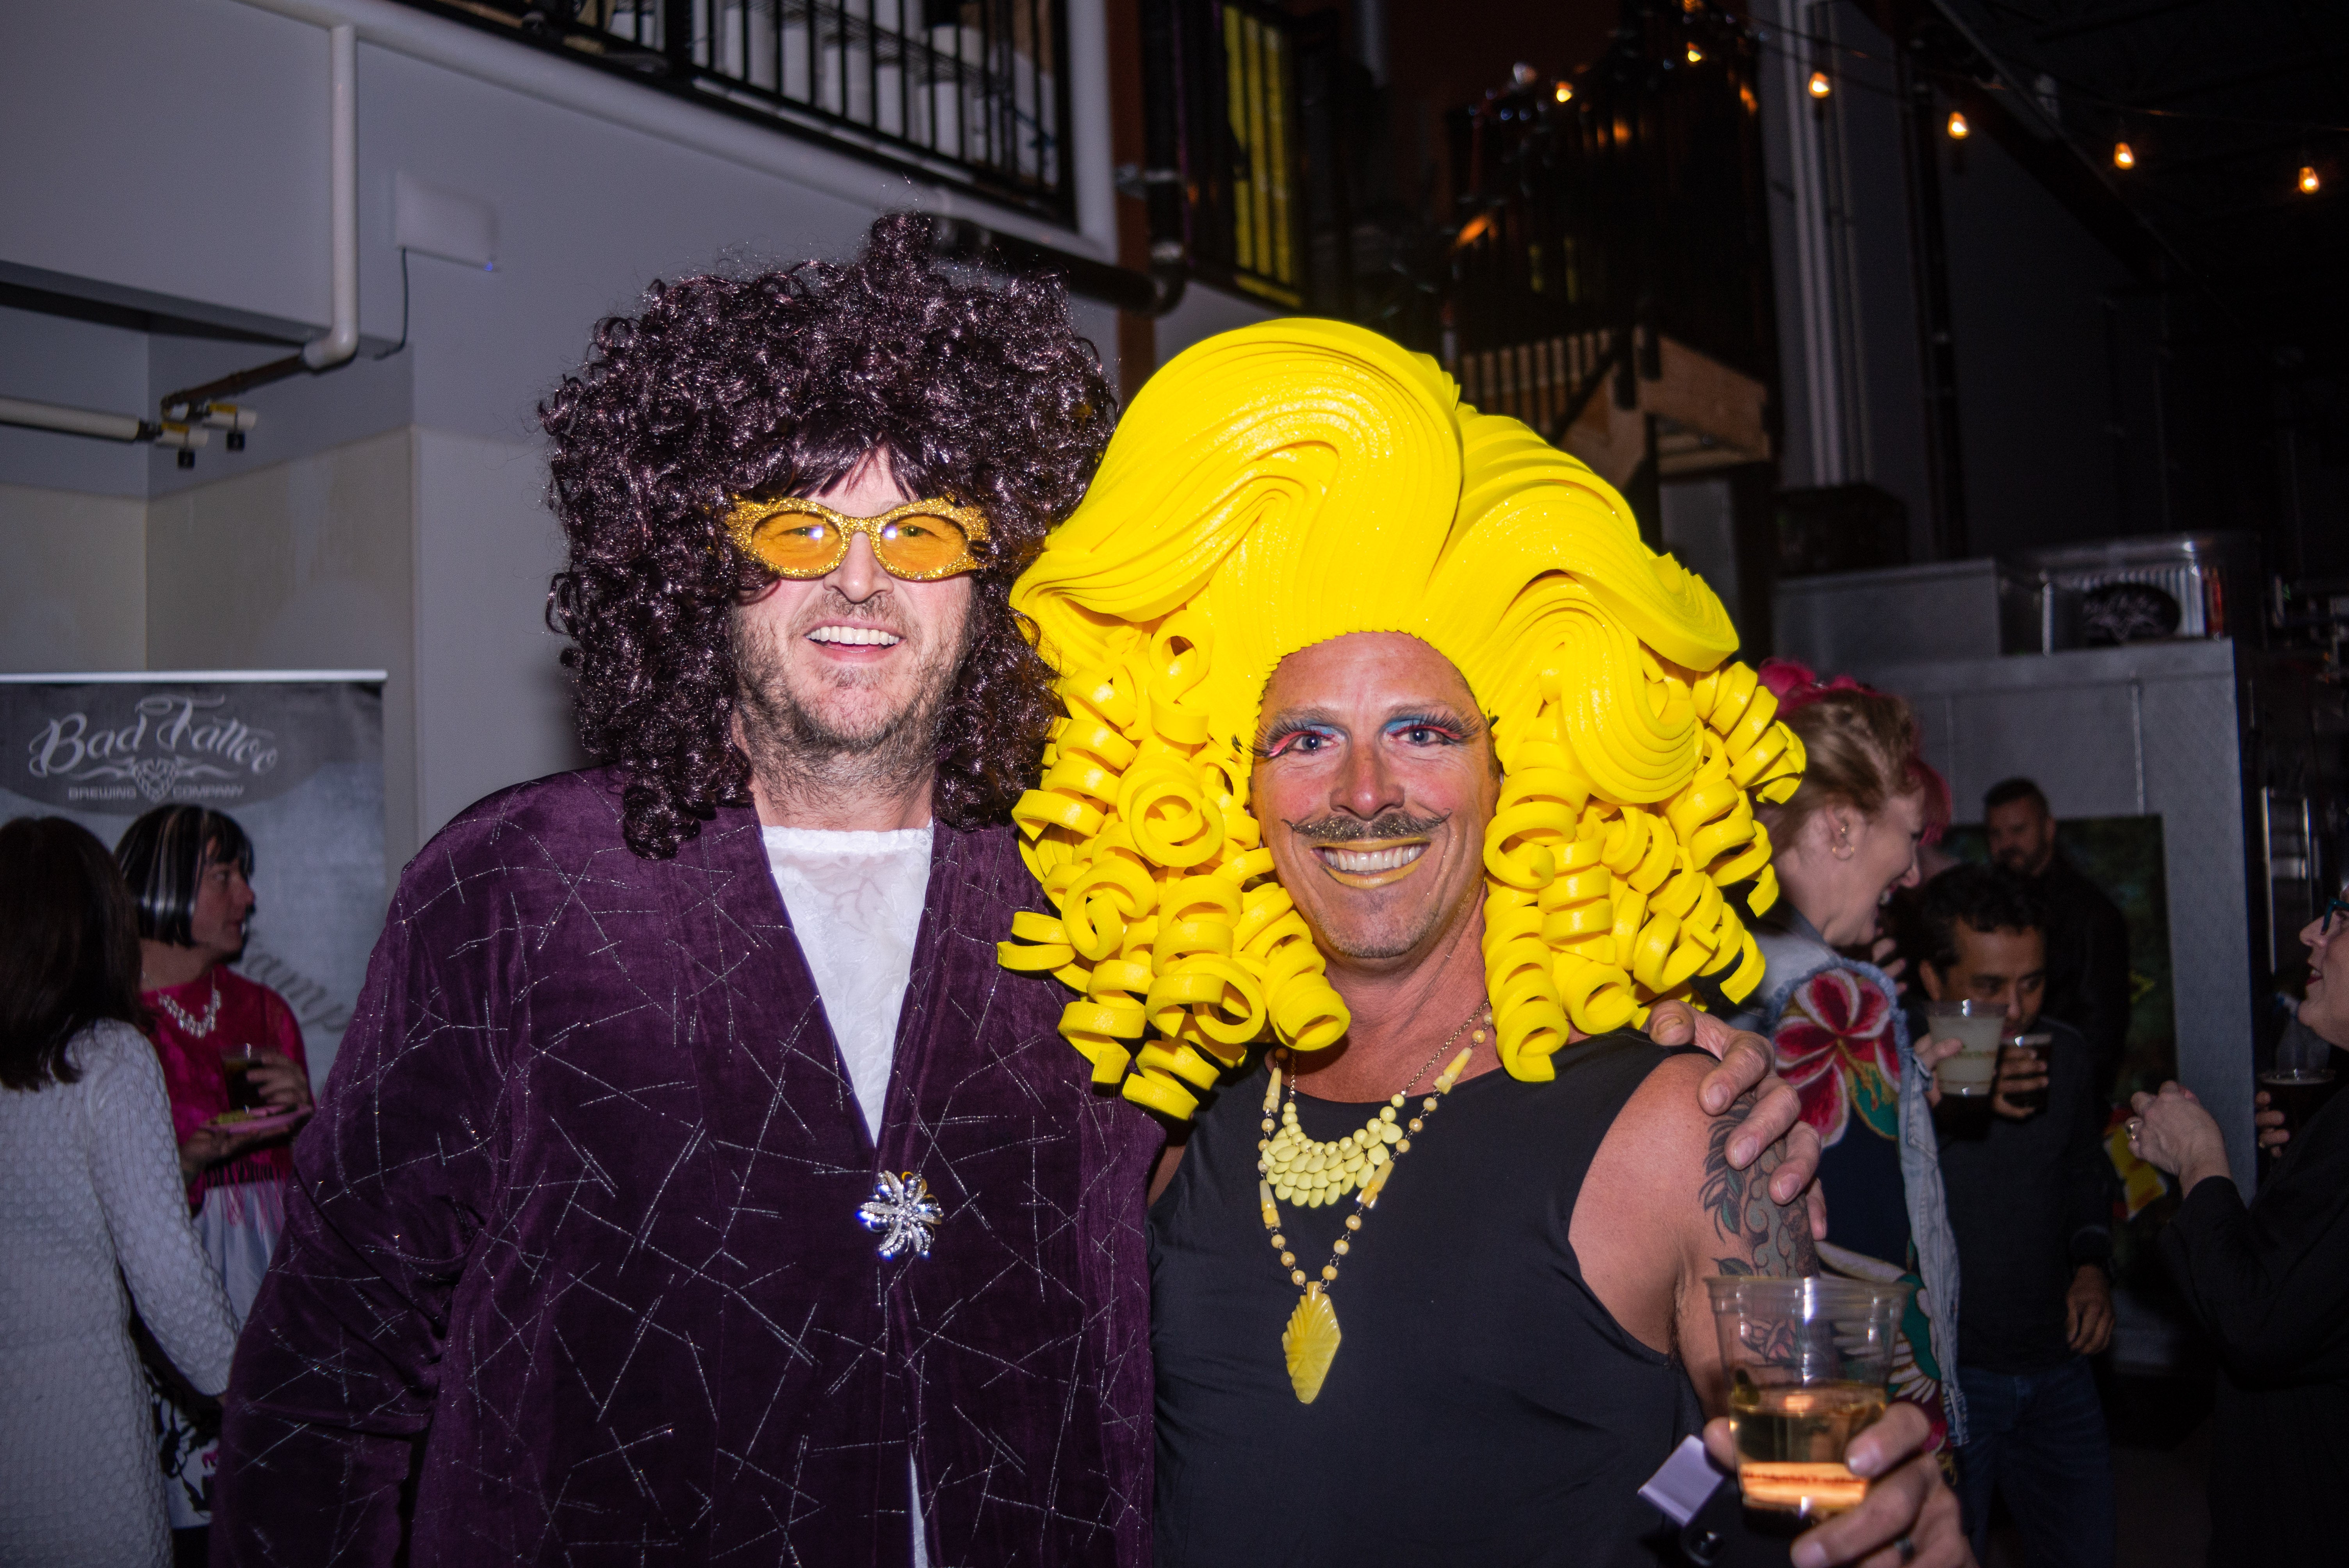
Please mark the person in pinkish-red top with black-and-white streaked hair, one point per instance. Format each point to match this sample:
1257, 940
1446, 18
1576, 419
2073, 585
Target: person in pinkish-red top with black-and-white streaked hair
231, 1050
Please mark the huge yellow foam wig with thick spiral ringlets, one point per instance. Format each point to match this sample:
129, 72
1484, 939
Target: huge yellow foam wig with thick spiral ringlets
1293, 482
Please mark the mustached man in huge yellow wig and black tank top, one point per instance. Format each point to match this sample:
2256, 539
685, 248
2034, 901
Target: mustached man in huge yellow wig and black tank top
1389, 748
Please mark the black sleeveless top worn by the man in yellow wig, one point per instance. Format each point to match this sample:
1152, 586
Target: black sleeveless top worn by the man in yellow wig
1483, 1405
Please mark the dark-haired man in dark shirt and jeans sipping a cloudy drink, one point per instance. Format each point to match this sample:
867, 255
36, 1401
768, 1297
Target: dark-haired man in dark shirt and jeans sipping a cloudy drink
2031, 1205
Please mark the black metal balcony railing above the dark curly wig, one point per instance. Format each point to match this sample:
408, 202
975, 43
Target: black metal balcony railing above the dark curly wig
962, 93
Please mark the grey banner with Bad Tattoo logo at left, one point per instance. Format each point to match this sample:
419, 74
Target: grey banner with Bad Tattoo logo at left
297, 759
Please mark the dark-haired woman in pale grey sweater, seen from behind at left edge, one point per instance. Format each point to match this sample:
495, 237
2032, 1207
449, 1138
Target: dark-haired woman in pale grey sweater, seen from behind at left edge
93, 1217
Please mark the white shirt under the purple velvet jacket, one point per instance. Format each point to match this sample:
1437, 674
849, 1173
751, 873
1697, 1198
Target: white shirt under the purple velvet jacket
856, 910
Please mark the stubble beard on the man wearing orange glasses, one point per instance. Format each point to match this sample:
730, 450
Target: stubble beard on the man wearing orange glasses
795, 750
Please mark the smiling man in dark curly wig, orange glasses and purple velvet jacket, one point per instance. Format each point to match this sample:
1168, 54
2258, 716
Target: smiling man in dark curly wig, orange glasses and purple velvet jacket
692, 1184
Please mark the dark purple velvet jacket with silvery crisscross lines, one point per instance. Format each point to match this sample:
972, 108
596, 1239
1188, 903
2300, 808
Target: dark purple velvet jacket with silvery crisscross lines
577, 1266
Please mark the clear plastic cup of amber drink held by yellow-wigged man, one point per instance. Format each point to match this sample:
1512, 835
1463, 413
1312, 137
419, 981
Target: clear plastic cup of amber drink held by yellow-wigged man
1808, 1363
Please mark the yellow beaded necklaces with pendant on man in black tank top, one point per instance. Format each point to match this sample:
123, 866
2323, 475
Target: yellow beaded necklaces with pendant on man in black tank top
1312, 1175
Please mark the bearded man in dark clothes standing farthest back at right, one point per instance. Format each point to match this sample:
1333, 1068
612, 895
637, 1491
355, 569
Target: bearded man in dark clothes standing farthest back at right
2085, 931
